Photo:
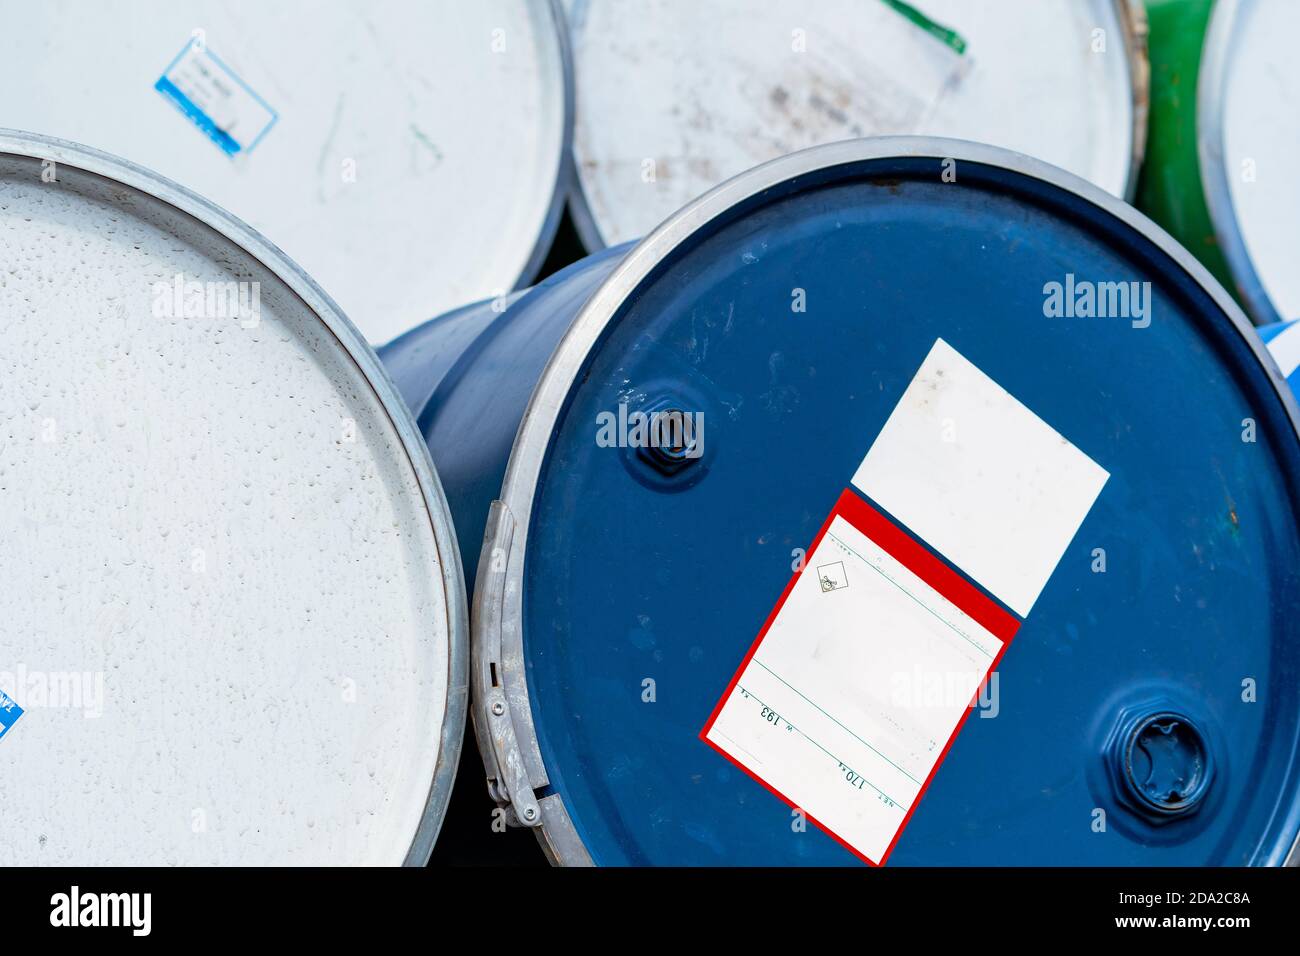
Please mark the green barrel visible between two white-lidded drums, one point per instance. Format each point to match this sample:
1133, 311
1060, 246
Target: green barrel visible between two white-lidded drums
1171, 189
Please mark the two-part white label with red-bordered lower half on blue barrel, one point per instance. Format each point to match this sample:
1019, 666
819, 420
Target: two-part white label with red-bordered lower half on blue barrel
879, 648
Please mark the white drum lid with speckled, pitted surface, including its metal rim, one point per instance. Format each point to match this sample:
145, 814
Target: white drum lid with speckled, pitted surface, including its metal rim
233, 608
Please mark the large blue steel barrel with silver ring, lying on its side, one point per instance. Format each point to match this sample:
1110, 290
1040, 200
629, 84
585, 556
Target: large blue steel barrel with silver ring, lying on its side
1147, 711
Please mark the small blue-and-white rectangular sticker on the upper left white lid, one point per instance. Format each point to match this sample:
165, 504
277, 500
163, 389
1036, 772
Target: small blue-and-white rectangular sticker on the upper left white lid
216, 101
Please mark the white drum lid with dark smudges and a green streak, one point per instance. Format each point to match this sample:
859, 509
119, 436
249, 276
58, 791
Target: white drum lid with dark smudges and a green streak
675, 97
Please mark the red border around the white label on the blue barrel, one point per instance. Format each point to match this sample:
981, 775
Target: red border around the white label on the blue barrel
913, 556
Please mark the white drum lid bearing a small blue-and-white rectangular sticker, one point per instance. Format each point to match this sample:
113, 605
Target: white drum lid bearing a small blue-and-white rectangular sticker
408, 155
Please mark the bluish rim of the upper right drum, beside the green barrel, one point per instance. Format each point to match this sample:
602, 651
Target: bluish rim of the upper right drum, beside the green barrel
1216, 60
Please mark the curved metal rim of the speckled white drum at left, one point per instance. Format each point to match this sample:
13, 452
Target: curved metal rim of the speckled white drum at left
116, 170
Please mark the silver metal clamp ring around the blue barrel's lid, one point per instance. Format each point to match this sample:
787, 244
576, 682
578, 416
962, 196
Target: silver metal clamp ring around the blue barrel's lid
557, 833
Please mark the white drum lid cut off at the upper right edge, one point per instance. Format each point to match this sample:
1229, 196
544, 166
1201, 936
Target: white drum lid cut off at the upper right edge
1249, 129
